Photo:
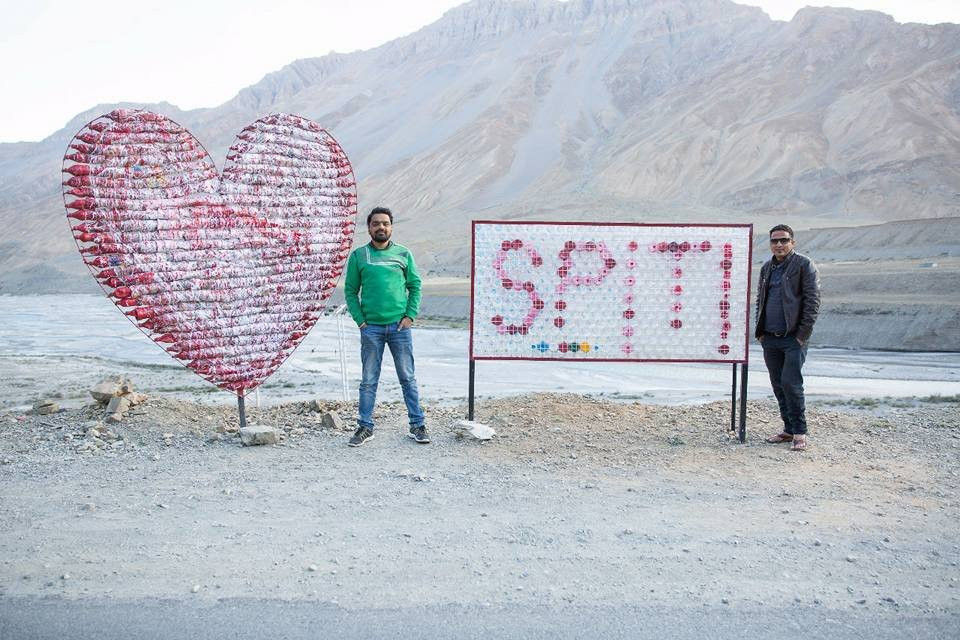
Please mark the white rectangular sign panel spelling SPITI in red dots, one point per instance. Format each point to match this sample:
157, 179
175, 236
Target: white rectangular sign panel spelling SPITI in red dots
614, 291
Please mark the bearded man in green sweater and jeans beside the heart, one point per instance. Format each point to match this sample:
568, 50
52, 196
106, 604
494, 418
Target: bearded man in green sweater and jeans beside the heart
382, 289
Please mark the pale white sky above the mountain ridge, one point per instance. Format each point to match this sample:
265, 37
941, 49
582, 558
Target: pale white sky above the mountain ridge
61, 57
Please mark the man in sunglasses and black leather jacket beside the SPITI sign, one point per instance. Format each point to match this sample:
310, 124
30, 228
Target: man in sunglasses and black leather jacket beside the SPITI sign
788, 301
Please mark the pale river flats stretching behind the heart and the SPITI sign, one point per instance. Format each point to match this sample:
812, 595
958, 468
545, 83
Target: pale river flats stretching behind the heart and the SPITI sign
64, 344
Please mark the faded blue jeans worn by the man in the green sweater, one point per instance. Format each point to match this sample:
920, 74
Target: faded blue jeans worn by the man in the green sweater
373, 337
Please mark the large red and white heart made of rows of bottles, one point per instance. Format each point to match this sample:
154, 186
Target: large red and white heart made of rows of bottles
227, 273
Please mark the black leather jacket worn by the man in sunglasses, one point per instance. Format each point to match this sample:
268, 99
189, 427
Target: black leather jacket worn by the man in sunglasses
801, 295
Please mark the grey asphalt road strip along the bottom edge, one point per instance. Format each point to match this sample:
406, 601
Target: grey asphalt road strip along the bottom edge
42, 618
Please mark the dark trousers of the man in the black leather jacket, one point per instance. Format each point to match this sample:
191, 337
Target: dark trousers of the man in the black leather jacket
784, 358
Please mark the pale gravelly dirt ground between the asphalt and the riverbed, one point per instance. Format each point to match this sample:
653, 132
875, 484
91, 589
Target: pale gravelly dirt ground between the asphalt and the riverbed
576, 500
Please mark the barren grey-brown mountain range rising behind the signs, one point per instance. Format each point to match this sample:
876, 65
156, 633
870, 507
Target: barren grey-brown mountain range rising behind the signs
590, 109
